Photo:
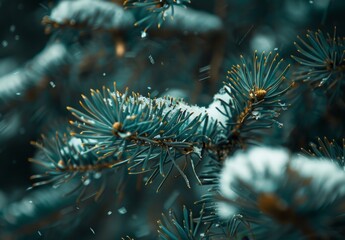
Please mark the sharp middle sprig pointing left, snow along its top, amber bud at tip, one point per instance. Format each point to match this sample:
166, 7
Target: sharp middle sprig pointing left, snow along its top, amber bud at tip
148, 135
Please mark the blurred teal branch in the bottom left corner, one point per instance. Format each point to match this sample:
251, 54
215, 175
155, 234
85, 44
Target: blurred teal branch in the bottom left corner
36, 211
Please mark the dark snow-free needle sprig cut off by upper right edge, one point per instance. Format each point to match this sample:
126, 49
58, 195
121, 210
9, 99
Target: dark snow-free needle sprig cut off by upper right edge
322, 60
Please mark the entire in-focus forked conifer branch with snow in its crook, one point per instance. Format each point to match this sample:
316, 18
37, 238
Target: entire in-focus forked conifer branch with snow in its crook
159, 135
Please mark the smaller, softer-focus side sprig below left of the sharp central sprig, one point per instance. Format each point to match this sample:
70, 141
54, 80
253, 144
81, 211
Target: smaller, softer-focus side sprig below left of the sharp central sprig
64, 159
